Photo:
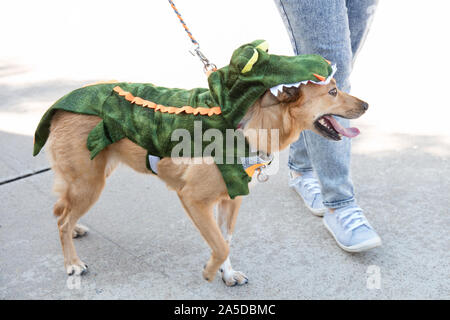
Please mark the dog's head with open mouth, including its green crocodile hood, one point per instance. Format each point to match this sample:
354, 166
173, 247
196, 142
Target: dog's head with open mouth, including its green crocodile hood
303, 84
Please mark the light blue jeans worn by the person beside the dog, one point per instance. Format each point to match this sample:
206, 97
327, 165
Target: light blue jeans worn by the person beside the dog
336, 30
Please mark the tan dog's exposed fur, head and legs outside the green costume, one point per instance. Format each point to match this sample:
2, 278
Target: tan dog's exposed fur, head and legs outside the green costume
79, 181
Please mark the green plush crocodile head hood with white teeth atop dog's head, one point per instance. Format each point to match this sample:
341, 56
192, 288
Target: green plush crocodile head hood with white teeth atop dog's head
252, 71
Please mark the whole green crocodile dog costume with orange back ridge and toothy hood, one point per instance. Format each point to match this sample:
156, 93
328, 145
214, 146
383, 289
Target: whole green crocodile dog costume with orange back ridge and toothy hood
148, 115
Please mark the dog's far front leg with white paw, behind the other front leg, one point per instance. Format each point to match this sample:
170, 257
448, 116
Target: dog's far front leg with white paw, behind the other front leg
226, 219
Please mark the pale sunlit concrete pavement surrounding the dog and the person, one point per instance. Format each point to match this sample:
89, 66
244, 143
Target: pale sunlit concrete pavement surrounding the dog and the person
141, 244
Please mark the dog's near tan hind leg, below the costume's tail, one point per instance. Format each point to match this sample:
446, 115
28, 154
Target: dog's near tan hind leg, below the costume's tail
78, 180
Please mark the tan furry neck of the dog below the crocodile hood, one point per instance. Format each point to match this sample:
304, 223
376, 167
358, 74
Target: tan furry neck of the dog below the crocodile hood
261, 123
